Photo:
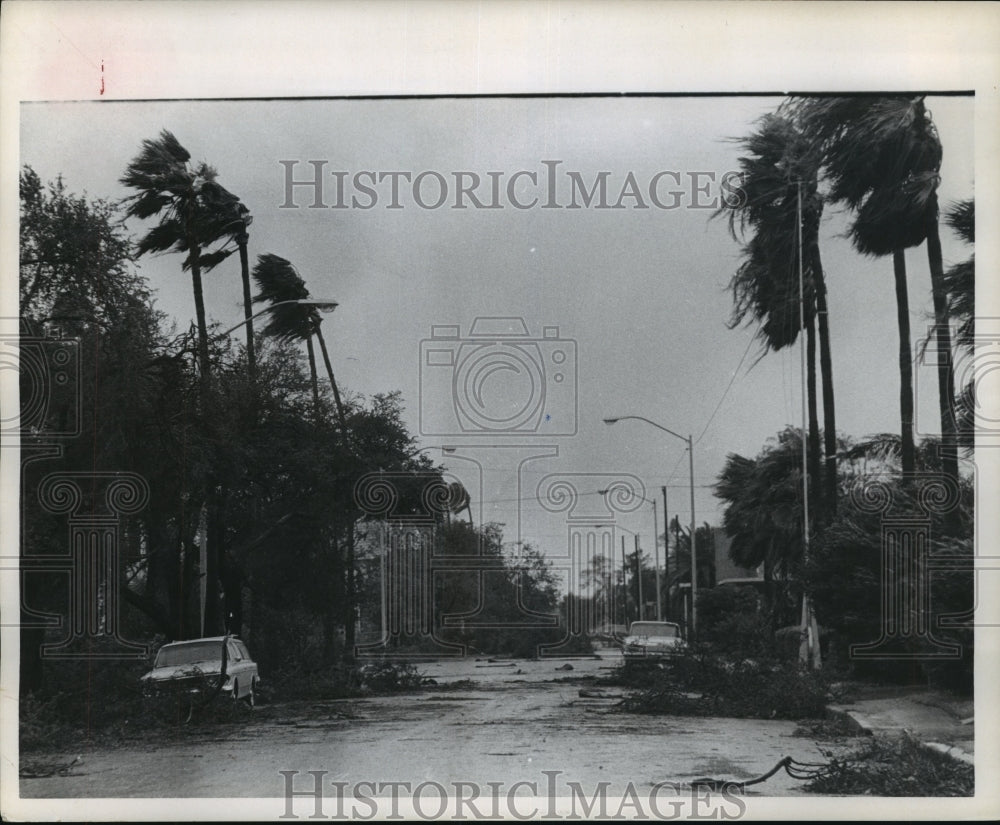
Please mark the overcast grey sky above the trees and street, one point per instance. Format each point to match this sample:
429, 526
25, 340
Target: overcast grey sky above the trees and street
641, 292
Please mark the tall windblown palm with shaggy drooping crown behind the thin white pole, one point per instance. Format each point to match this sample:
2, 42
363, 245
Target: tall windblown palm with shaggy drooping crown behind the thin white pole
779, 194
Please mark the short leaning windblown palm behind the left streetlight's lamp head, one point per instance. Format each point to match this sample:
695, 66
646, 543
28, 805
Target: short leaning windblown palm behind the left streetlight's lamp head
278, 282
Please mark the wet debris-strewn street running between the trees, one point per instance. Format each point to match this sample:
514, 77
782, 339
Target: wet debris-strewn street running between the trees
513, 723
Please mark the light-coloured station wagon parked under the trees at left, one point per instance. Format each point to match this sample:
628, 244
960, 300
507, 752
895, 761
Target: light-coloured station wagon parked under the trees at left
197, 666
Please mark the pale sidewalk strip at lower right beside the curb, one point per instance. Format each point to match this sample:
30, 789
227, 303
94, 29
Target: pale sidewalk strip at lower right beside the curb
938, 720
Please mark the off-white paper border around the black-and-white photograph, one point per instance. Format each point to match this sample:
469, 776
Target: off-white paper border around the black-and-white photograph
168, 50
